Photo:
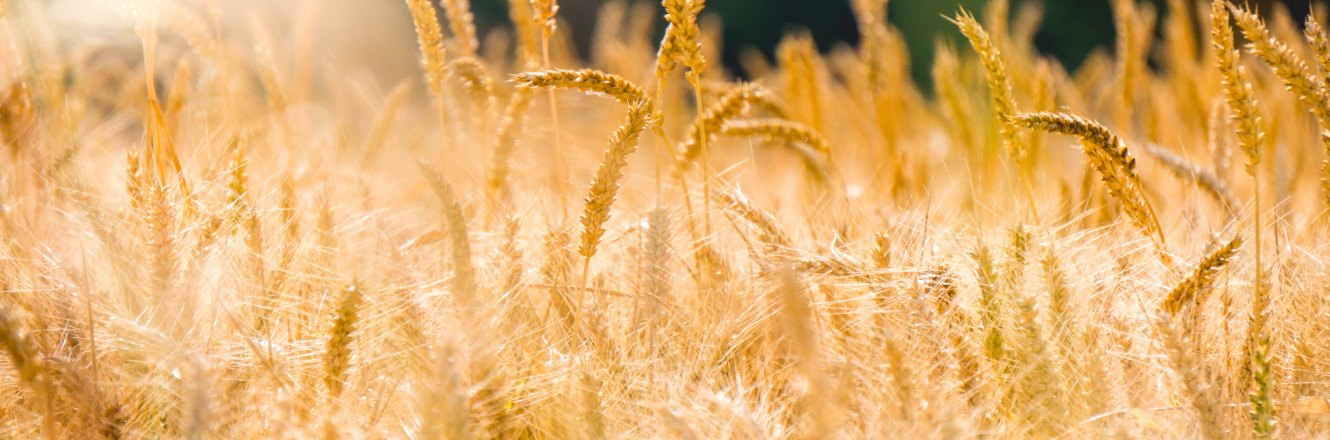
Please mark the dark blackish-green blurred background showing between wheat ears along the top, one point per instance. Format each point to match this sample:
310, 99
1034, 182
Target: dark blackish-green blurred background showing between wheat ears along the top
1070, 31
